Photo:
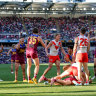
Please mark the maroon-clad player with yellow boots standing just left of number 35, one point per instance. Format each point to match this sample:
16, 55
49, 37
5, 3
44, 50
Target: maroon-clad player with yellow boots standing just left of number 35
19, 59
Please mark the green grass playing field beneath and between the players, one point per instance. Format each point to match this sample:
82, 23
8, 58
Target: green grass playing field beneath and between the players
8, 88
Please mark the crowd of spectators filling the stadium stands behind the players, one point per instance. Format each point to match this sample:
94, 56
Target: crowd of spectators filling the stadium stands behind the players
10, 28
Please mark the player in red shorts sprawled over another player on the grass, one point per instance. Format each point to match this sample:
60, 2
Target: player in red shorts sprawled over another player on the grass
71, 70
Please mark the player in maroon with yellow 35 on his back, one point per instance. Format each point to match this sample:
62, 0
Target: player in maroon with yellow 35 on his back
31, 52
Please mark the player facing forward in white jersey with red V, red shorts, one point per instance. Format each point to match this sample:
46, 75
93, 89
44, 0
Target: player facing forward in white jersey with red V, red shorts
54, 46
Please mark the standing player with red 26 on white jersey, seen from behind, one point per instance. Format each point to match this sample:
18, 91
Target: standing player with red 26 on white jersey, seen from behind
82, 46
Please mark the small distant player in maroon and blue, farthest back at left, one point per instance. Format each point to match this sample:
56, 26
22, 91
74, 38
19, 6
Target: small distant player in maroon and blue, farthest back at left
13, 53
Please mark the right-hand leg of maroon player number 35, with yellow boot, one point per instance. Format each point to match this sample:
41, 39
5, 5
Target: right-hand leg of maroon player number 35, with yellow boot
36, 70
